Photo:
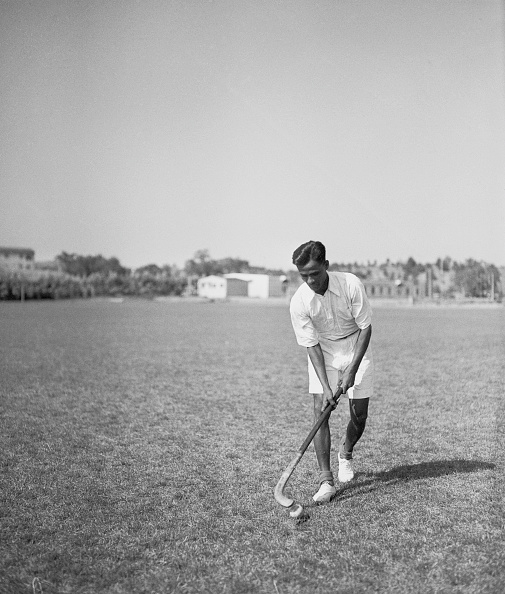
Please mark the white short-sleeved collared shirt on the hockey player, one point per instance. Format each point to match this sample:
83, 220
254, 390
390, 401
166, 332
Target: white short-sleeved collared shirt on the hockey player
341, 311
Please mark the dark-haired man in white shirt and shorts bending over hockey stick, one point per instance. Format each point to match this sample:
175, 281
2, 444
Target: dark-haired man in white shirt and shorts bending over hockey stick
331, 317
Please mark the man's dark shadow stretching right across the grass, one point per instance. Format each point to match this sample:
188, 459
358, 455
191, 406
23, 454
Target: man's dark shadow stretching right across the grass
369, 481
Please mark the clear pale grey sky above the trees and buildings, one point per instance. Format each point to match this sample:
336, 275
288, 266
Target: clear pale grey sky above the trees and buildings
150, 129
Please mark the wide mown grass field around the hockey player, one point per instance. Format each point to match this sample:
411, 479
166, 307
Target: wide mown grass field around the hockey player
141, 441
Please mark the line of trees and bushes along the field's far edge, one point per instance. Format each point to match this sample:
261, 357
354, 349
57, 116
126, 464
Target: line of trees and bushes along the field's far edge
74, 275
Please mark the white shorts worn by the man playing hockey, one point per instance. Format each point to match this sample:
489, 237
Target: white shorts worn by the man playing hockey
338, 355
